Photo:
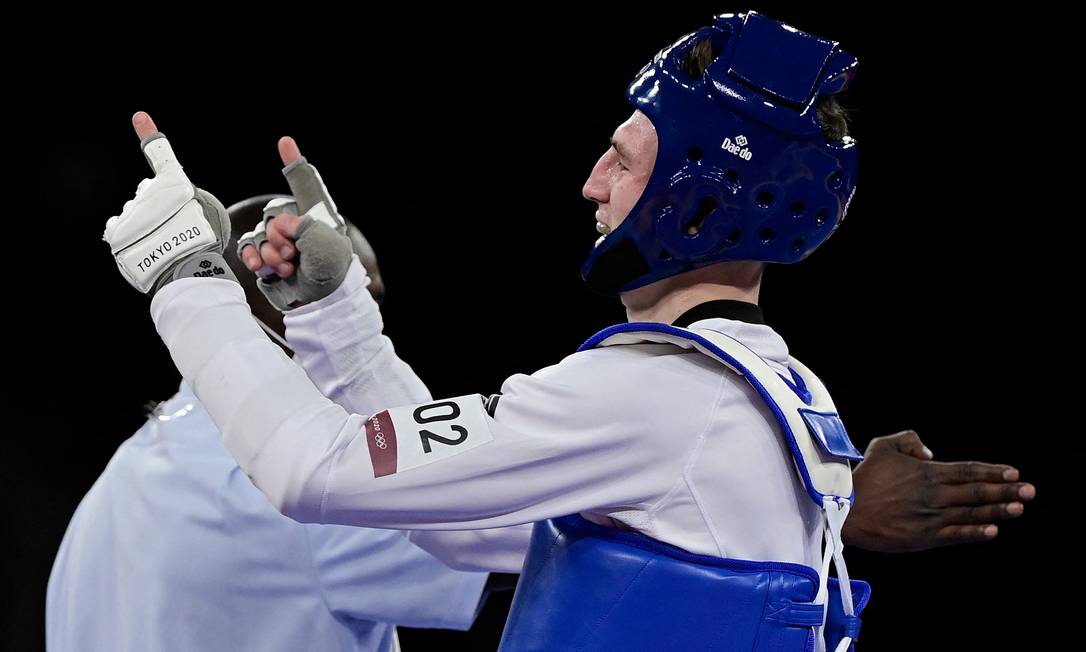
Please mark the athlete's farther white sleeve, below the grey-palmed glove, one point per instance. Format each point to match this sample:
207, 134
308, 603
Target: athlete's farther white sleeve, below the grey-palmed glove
338, 342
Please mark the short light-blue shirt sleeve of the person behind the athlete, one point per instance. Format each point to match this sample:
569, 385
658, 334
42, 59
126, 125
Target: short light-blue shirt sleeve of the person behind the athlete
380, 575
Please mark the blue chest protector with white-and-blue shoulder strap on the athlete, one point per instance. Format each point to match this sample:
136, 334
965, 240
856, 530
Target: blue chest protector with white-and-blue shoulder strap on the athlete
588, 587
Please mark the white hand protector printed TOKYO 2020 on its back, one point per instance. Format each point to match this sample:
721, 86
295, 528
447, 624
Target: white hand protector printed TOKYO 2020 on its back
172, 230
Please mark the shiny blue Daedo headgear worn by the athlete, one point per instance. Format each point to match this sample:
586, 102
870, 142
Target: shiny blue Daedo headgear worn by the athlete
743, 170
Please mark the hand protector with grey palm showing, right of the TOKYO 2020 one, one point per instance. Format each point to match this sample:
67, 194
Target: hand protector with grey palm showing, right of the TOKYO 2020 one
324, 250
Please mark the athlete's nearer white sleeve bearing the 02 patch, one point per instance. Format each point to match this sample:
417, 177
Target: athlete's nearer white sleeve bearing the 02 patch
560, 443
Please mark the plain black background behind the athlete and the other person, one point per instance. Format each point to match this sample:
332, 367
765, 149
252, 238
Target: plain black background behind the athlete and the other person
459, 141
